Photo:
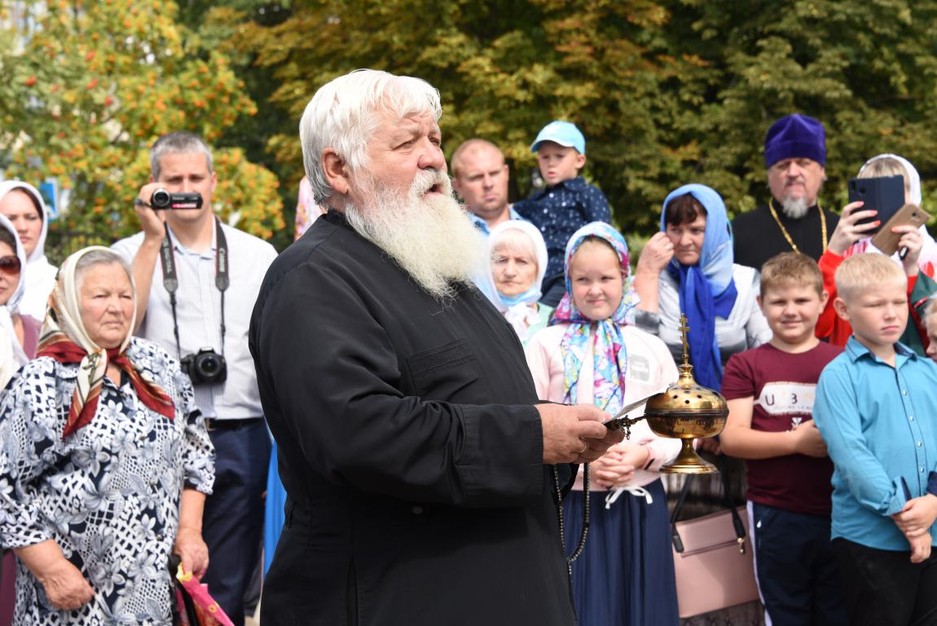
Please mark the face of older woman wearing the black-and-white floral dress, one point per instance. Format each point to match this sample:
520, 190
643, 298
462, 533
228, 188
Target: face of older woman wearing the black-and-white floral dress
106, 301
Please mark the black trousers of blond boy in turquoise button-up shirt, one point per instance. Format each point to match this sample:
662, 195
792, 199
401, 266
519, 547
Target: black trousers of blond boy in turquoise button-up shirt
884, 588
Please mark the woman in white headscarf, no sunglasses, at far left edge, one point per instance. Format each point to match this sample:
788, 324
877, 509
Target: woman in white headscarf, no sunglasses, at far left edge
22, 204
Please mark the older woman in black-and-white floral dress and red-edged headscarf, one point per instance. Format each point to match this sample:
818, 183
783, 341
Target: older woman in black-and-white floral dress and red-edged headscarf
105, 459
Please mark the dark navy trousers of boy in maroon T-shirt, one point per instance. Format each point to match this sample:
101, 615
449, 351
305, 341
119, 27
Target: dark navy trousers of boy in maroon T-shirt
798, 575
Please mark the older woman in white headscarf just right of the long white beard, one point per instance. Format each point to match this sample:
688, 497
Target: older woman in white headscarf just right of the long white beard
518, 265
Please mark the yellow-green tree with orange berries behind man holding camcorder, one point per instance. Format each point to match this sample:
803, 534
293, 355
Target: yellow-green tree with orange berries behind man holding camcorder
89, 86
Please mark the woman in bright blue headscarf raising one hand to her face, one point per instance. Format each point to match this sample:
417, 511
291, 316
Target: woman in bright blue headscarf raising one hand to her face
688, 268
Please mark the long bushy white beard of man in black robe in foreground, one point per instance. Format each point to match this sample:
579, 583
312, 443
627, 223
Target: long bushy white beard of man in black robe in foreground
429, 236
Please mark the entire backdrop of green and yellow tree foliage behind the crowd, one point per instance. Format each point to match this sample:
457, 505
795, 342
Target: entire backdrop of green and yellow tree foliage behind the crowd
666, 91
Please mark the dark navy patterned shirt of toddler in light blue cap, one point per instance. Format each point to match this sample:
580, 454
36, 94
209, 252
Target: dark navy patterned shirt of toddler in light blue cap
561, 210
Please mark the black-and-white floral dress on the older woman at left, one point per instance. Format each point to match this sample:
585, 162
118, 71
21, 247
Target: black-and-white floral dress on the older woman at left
108, 495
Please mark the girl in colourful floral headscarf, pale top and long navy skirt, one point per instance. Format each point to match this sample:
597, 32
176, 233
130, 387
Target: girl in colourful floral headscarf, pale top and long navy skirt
591, 354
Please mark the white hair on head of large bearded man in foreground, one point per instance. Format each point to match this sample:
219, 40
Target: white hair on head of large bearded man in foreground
342, 115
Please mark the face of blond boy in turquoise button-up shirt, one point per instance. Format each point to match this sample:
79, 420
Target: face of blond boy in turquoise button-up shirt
878, 315
